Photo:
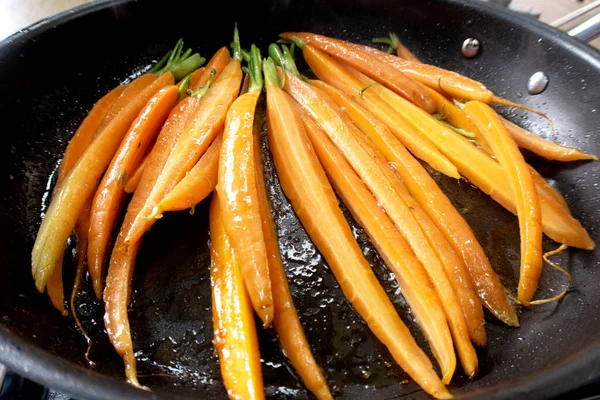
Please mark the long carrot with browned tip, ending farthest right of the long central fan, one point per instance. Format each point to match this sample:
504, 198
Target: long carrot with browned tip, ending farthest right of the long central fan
436, 205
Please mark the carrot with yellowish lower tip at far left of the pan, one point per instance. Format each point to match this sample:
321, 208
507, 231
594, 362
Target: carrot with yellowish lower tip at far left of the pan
80, 185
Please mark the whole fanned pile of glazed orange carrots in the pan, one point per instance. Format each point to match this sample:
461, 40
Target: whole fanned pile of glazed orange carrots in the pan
356, 132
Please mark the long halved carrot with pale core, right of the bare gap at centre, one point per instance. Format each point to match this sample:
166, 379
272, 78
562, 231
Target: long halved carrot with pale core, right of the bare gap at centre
305, 184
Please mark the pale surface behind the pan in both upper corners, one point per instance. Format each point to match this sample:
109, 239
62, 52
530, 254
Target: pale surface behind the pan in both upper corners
17, 14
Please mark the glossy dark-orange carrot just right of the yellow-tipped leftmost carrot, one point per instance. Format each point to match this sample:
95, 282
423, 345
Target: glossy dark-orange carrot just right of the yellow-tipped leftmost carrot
110, 195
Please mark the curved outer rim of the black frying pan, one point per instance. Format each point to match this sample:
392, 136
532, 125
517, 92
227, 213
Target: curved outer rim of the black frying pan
40, 365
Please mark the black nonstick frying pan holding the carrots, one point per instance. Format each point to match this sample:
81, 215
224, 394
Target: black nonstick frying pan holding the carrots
51, 74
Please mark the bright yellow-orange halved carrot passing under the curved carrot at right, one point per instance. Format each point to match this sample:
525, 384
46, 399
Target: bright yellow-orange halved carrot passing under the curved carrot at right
486, 174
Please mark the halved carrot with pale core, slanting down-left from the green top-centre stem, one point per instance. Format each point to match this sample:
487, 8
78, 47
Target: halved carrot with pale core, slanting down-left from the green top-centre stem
199, 133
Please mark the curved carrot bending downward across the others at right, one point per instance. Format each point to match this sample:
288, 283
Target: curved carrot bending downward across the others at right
526, 198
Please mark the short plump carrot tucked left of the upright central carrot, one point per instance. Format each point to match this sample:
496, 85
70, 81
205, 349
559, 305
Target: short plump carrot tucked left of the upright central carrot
197, 184
